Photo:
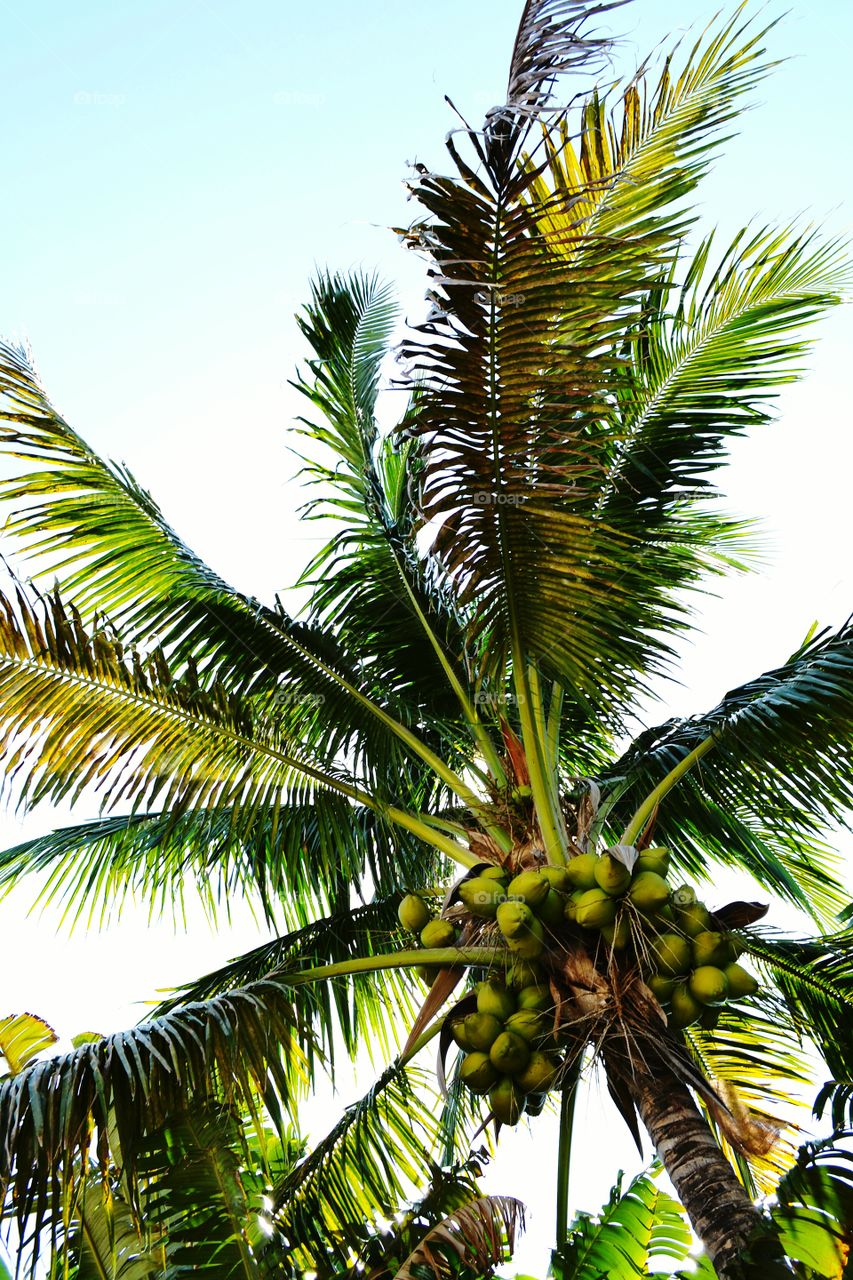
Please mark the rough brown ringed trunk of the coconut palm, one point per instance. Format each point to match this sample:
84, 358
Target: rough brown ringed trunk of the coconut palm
719, 1208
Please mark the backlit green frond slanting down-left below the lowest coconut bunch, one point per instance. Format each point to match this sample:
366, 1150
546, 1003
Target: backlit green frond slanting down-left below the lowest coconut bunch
367, 1167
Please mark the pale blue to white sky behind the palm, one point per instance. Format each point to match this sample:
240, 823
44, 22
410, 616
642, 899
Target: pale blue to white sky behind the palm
176, 172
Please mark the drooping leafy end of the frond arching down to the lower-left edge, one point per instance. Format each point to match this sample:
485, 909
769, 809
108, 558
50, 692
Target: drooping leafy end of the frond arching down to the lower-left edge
115, 1092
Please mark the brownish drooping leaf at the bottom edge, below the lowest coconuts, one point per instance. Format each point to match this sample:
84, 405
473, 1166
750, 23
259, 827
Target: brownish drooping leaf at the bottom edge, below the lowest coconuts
476, 1238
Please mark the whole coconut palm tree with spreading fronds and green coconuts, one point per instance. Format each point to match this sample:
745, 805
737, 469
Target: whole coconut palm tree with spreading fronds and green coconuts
449, 724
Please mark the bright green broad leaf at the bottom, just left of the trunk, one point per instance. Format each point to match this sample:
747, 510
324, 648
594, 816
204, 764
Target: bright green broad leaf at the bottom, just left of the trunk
637, 1227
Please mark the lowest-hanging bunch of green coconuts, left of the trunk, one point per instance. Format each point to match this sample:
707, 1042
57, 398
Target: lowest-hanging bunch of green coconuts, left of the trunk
508, 1044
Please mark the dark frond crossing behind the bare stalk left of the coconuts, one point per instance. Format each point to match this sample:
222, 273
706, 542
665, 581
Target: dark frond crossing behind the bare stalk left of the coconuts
364, 1009
